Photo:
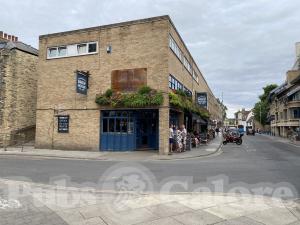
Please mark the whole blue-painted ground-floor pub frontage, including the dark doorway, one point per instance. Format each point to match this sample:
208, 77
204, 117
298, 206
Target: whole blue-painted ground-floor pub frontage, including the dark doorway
128, 130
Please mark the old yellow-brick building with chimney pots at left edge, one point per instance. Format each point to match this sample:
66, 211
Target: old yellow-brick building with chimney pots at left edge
18, 86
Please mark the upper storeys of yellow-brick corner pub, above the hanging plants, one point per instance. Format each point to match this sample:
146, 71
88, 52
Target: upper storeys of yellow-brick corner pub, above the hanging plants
148, 52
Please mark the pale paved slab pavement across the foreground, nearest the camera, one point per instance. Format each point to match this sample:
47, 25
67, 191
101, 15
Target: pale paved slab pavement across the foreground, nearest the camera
55, 205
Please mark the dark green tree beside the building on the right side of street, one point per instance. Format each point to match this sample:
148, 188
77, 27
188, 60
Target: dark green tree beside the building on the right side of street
262, 107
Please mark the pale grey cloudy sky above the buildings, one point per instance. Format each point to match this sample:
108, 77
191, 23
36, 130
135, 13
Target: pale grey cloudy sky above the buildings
240, 45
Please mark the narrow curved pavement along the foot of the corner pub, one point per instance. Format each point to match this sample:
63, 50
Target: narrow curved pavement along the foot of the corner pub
29, 150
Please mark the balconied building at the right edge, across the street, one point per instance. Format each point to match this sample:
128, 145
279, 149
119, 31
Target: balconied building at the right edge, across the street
285, 102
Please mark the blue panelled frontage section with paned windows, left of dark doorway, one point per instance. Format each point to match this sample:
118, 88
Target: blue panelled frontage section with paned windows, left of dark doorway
117, 131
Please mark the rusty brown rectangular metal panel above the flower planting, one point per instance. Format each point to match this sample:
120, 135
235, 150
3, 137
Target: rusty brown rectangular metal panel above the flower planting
128, 80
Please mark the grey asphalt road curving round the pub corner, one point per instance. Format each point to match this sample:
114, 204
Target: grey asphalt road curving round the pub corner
259, 163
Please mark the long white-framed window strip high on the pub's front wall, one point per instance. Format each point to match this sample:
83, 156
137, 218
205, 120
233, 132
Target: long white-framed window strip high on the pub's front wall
72, 50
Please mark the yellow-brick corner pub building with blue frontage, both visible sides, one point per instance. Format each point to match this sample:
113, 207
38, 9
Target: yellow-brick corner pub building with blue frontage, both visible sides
76, 66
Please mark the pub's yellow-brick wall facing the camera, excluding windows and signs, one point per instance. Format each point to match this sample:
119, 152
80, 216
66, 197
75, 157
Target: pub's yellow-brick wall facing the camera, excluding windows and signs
141, 45
